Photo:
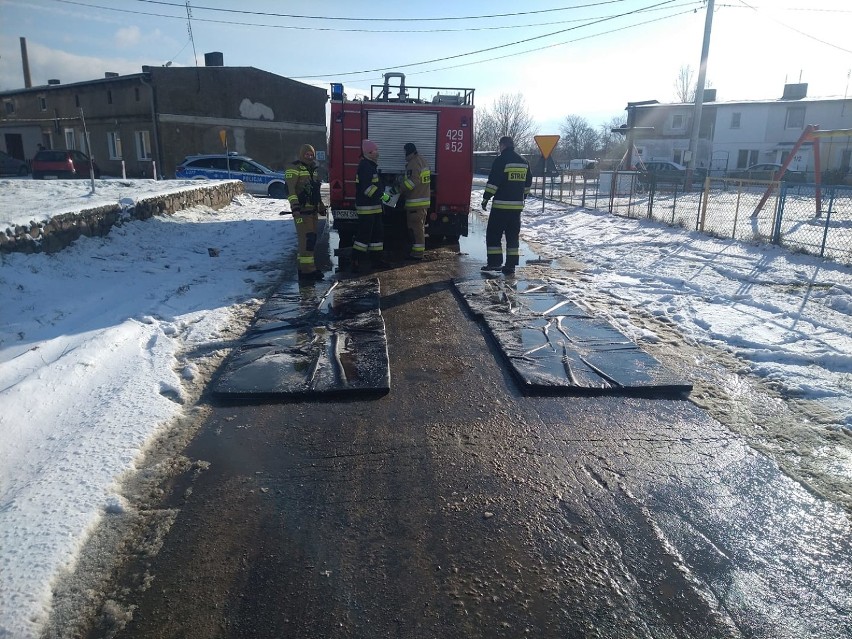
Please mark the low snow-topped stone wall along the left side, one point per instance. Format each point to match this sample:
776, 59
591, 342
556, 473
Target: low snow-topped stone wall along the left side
55, 234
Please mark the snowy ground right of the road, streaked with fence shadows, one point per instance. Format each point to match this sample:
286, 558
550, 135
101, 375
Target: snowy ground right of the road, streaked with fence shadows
787, 317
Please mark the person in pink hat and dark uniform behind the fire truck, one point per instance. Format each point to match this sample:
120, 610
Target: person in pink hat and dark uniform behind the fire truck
369, 197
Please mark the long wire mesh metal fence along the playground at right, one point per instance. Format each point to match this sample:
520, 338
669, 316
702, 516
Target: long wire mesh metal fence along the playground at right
799, 217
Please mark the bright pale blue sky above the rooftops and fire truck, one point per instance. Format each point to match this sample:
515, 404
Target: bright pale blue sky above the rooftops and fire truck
587, 58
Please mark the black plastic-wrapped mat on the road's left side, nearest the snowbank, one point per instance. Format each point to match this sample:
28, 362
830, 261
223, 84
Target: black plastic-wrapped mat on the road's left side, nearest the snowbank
312, 340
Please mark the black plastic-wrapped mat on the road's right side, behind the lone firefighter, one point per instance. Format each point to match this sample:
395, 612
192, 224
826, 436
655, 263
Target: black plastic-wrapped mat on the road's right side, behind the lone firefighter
553, 344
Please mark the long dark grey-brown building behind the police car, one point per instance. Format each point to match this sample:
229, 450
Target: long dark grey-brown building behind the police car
157, 117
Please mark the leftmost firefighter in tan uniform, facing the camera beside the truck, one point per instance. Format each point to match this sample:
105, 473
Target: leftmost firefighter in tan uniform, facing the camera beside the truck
303, 183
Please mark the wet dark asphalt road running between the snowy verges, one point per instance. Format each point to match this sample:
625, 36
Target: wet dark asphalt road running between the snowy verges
455, 506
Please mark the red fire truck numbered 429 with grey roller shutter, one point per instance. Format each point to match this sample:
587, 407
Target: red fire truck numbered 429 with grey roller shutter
439, 121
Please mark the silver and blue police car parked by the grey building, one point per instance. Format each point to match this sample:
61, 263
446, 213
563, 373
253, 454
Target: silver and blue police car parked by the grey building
259, 179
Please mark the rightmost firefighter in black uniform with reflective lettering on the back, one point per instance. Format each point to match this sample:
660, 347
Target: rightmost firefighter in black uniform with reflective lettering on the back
509, 184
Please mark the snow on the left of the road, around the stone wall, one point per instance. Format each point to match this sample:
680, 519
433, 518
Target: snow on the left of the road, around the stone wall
101, 346
